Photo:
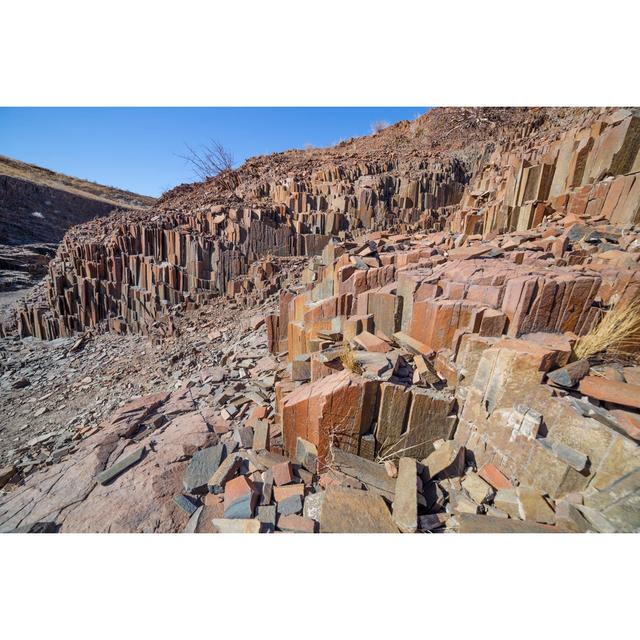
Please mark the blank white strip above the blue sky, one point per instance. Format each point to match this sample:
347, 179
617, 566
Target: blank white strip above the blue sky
333, 52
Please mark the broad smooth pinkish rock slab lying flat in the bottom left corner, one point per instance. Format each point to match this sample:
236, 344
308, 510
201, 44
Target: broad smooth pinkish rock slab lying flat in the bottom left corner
139, 500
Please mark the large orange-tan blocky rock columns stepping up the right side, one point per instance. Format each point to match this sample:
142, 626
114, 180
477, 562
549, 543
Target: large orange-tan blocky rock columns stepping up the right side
491, 308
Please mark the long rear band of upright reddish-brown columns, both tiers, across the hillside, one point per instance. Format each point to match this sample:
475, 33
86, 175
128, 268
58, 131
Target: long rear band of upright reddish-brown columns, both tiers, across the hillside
127, 273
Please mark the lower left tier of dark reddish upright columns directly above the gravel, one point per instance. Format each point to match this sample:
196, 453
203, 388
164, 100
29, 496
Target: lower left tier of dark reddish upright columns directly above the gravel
142, 268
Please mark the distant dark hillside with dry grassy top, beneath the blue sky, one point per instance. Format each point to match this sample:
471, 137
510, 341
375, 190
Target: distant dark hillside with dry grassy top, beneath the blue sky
37, 207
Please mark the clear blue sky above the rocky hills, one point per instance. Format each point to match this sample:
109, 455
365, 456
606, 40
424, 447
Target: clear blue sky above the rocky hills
137, 148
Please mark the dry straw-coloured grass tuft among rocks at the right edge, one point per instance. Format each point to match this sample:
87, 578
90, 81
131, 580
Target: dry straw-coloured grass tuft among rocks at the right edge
616, 336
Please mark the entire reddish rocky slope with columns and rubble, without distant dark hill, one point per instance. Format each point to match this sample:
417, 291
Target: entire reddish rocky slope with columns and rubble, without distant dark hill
424, 372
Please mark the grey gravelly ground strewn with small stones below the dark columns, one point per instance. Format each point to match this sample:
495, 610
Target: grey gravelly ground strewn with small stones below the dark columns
53, 394
